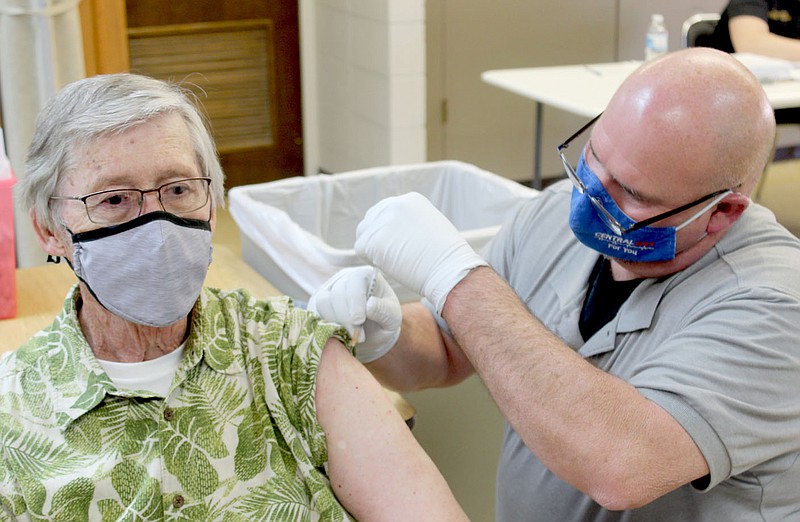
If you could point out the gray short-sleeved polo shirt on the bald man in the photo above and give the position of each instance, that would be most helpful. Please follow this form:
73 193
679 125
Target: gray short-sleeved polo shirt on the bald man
716 345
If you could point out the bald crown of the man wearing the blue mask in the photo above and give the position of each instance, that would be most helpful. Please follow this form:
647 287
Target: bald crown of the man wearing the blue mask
697 116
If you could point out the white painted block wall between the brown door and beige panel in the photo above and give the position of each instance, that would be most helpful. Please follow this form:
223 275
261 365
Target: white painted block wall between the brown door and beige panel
370 83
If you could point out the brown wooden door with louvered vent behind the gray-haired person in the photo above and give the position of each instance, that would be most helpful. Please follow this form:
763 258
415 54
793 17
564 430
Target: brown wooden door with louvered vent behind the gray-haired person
242 59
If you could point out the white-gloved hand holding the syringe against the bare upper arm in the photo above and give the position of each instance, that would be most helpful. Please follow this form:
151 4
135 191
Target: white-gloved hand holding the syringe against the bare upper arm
372 318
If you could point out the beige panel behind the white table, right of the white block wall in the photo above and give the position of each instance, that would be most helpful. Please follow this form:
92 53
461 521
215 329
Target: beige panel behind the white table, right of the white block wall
485 125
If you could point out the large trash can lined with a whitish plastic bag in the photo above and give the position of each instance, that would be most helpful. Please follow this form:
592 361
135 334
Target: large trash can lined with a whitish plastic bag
298 232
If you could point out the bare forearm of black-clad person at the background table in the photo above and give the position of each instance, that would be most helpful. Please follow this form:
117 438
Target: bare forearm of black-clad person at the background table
750 34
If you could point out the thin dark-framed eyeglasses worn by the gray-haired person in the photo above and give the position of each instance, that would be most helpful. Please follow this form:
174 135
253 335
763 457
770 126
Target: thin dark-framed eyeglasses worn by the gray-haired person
112 207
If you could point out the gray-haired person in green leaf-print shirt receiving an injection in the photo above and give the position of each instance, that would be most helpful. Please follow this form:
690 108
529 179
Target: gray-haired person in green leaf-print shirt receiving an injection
150 397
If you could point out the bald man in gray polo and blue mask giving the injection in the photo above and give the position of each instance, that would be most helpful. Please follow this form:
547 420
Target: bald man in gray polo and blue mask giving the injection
638 325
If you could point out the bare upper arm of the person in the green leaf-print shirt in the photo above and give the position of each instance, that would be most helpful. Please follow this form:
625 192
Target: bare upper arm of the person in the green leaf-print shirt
378 471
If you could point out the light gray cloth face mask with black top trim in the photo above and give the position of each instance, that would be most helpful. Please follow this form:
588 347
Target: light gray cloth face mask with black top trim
148 271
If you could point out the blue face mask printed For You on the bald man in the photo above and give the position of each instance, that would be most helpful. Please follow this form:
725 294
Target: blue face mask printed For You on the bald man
646 244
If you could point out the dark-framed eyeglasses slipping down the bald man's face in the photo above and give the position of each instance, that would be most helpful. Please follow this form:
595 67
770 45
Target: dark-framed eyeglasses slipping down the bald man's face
609 219
